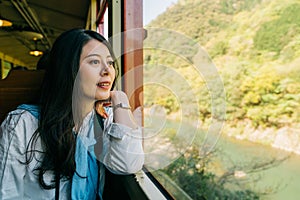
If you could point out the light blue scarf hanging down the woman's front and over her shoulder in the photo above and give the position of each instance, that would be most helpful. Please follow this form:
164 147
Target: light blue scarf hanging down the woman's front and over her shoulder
85 180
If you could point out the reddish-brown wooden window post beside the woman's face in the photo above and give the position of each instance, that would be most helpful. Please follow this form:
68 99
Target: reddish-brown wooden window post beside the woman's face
133 48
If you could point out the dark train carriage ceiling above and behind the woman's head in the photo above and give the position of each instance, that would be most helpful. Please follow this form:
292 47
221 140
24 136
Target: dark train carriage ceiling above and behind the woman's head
37 23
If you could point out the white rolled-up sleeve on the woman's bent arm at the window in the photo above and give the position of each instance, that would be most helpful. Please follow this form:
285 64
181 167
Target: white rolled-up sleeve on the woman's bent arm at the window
125 153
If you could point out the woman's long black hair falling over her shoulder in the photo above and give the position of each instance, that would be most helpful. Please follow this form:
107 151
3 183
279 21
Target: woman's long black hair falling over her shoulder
56 120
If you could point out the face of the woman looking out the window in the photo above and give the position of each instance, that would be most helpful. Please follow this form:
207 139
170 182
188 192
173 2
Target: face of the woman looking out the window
97 72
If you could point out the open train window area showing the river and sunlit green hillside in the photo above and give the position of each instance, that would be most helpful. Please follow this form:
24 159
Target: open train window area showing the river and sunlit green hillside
193 51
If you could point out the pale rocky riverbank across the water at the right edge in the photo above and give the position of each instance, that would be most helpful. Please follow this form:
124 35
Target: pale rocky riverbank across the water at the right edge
285 138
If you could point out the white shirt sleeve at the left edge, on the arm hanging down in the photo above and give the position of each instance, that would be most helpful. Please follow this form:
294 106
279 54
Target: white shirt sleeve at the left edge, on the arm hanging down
12 150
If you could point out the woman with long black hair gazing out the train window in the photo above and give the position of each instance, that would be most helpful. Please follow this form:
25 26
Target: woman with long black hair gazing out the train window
61 148
